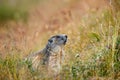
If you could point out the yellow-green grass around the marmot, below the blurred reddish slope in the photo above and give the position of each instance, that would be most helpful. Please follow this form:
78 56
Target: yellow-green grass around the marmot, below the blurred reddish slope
92 51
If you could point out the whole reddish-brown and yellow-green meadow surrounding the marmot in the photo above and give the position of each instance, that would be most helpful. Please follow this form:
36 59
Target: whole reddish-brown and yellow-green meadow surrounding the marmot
92 50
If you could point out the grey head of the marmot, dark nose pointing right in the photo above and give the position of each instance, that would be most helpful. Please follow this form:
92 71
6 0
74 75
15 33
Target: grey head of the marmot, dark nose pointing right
57 41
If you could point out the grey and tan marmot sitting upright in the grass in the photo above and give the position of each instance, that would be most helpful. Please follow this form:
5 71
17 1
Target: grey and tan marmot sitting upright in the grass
51 56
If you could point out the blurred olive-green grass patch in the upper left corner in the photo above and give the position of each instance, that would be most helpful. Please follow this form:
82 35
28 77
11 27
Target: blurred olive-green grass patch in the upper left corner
15 10
